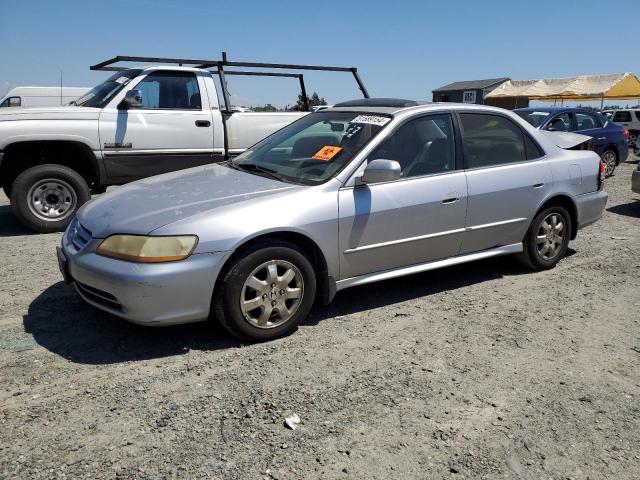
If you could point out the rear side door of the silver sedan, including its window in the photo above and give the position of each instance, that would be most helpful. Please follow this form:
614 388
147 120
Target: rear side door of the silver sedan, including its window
507 176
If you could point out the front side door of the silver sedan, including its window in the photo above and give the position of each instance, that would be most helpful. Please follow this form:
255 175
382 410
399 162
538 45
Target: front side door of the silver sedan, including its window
415 219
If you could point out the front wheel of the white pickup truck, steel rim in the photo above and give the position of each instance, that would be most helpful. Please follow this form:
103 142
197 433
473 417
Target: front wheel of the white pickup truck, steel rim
45 198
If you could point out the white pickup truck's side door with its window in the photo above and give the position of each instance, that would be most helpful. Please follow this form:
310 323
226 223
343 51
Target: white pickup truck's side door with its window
170 131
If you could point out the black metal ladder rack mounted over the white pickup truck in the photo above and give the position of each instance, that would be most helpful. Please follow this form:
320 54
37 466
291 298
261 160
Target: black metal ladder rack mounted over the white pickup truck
108 65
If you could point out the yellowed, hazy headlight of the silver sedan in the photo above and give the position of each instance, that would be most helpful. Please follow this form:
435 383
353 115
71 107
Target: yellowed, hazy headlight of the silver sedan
137 248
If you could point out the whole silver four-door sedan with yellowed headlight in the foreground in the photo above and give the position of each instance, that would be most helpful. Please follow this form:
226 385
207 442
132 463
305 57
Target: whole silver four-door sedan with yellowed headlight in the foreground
364 191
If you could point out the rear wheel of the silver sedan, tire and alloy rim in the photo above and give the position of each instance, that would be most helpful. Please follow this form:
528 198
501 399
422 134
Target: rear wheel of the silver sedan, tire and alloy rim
534 255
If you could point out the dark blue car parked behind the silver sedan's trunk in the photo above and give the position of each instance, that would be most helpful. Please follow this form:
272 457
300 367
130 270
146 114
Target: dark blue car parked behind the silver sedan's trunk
610 140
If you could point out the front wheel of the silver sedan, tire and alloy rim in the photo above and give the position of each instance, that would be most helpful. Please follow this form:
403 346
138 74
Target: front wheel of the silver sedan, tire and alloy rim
278 311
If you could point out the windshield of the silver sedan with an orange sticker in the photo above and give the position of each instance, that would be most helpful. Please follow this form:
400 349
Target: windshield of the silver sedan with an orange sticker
313 149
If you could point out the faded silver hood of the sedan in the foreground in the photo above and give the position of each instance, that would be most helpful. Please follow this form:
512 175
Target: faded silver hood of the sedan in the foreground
146 205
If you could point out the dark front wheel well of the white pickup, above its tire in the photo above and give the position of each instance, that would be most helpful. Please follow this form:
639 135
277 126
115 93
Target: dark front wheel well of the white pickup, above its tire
22 155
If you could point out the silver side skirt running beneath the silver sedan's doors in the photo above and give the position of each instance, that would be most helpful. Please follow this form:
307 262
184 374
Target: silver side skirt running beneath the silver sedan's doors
423 267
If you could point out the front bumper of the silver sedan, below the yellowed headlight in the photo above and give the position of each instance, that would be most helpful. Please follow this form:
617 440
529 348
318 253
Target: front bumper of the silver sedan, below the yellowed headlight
149 294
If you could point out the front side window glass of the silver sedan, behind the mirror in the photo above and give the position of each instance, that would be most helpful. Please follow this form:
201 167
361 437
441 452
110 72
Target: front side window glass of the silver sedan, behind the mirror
422 146
